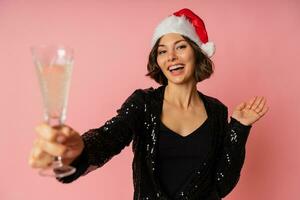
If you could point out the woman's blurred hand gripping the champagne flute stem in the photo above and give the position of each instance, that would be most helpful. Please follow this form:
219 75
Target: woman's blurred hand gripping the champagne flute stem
54 141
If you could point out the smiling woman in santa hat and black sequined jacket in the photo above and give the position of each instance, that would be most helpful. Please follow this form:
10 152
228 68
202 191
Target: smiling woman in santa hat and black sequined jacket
184 147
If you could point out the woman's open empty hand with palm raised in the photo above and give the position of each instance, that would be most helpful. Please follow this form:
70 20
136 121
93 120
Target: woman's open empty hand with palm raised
249 112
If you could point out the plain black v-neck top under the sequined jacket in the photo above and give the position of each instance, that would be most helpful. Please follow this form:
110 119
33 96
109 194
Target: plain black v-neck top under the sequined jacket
180 156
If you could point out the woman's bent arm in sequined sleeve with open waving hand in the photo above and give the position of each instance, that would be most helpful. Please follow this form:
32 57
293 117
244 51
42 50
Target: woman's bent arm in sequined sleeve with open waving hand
232 153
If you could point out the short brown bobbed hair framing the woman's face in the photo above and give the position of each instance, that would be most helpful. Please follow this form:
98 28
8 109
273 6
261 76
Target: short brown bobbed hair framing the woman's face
203 70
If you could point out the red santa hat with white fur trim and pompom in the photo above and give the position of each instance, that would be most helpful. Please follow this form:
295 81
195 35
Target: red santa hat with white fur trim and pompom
186 23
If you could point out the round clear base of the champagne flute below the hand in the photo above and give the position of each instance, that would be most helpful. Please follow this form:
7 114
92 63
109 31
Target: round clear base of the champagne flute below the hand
59 171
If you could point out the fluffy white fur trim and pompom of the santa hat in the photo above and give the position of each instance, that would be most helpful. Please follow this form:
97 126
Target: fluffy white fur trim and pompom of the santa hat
180 25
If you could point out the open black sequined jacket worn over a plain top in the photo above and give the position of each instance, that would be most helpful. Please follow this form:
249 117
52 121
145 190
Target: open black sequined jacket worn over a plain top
138 121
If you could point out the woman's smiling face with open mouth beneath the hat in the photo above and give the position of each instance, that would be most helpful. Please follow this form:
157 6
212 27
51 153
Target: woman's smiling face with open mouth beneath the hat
176 59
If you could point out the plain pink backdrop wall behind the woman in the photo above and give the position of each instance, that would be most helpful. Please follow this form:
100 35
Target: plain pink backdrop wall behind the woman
257 54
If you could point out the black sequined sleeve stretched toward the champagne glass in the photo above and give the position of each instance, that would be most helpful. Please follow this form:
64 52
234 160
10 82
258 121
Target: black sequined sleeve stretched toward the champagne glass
101 144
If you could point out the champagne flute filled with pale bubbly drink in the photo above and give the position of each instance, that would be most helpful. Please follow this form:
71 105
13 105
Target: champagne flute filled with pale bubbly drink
54 64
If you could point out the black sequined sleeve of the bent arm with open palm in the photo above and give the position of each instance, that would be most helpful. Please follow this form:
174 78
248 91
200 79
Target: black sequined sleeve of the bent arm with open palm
231 154
